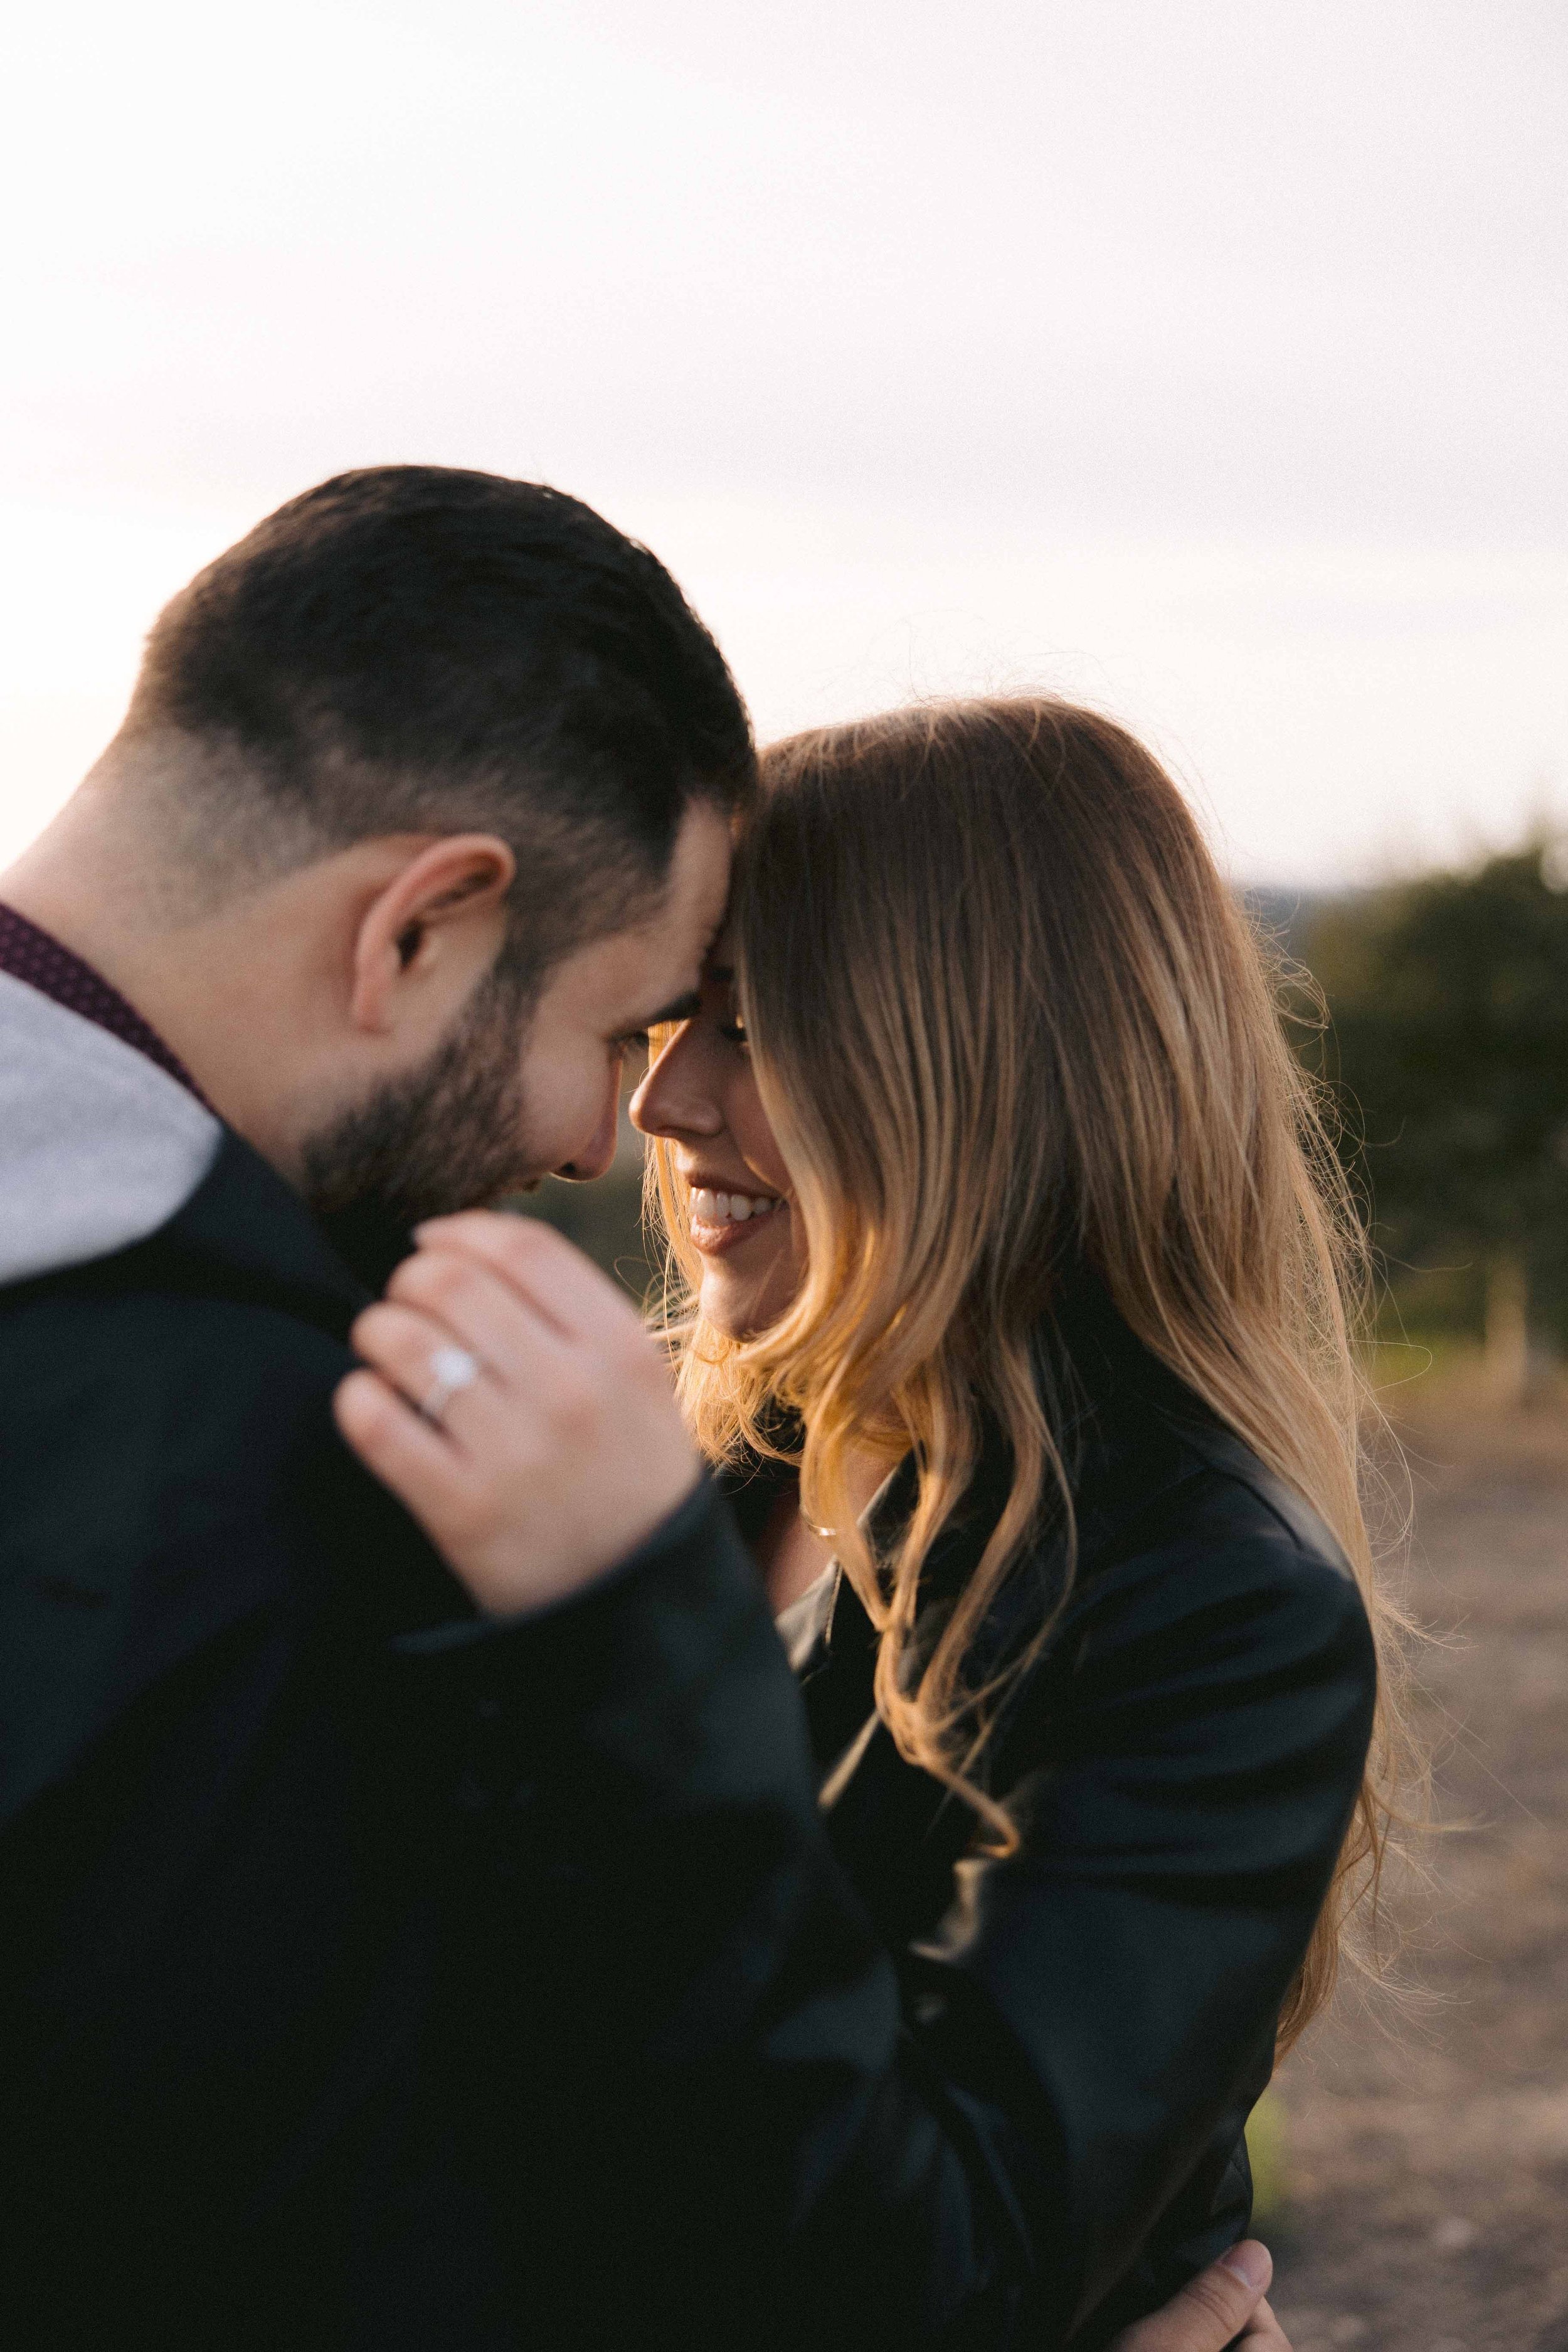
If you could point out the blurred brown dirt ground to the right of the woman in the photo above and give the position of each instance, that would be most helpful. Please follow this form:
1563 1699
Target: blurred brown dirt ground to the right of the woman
1426 2153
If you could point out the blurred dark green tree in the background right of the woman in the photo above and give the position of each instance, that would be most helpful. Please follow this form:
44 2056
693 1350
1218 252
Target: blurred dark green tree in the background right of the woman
1449 1045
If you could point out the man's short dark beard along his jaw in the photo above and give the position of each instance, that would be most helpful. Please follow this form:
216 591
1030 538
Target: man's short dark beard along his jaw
438 1140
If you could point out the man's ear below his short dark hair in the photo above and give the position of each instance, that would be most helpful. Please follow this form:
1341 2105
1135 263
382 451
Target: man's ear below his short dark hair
431 930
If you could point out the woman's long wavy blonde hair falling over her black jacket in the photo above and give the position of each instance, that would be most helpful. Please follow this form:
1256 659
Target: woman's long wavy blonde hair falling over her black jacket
1005 1017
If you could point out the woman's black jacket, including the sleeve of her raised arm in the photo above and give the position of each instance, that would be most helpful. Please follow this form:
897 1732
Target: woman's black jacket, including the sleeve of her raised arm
805 2137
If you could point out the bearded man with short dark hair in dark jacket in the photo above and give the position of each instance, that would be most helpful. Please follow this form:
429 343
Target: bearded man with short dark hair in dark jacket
420 815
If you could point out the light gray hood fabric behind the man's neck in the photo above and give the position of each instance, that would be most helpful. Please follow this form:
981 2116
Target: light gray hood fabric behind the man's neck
98 1144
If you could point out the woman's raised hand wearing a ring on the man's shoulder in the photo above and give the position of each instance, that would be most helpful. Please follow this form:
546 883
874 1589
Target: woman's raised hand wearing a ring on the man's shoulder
518 1410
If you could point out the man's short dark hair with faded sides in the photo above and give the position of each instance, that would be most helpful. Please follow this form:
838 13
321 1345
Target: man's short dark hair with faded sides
424 650
